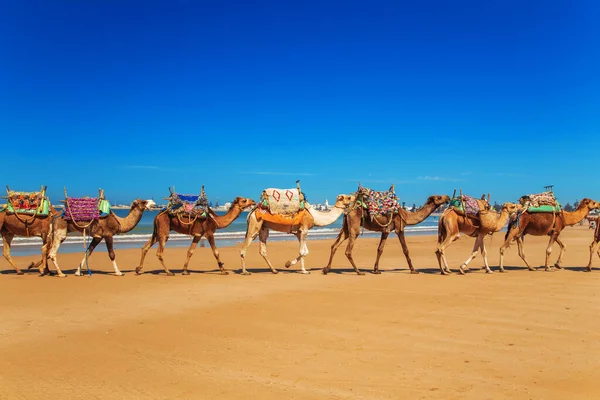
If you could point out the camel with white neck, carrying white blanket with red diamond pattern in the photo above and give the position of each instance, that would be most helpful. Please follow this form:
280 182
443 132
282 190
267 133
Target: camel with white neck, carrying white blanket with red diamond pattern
260 227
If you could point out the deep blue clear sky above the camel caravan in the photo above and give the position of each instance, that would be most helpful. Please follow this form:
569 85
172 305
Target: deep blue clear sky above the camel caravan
134 96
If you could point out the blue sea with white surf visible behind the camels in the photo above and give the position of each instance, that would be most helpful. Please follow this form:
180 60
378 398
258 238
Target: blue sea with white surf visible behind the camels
233 235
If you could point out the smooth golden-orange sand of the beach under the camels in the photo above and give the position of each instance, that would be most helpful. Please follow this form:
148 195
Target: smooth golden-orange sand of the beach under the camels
519 335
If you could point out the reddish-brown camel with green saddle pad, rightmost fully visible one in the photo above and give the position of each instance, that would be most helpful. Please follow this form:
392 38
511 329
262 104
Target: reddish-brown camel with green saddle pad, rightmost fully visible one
542 224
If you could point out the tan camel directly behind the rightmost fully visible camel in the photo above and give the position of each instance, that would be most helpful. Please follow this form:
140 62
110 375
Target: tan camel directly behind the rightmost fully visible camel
452 224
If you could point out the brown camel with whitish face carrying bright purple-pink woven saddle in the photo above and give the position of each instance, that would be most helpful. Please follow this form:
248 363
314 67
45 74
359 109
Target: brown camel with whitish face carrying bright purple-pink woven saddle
103 228
